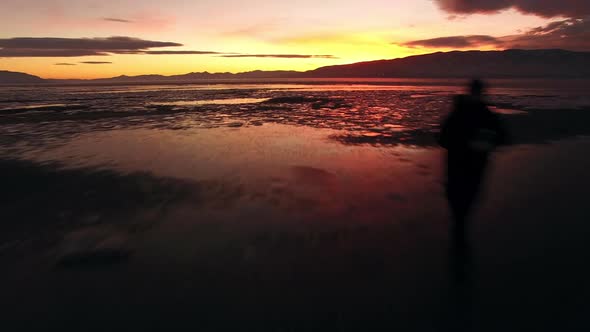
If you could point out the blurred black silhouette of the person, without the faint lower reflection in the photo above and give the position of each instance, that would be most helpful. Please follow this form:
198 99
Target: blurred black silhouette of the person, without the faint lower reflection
469 134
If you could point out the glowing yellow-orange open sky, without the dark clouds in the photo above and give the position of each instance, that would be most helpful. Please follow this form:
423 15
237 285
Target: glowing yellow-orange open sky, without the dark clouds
349 31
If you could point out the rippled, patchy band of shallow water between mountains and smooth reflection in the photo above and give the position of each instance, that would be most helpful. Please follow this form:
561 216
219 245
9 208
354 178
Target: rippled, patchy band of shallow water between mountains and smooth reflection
385 112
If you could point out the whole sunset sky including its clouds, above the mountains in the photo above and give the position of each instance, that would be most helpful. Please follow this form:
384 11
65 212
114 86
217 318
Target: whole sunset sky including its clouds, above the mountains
92 39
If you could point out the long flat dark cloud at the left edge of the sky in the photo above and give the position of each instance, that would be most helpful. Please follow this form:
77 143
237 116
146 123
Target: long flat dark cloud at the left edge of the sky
72 47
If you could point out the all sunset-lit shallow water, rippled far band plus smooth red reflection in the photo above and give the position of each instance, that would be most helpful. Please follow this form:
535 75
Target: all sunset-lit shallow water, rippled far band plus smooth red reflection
327 148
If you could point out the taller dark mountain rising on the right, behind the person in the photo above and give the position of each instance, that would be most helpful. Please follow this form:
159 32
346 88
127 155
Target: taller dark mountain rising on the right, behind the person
487 64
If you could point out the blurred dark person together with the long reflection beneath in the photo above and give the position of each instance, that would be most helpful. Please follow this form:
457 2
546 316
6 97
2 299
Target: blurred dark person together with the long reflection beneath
469 134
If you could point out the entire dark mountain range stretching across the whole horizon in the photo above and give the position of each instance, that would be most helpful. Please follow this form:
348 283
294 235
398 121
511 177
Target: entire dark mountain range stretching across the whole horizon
552 63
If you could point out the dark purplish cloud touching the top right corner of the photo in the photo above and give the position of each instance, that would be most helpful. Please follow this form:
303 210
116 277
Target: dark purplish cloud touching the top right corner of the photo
545 8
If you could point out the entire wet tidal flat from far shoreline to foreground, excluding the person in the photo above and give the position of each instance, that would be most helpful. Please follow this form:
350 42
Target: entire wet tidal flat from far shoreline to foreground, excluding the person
319 209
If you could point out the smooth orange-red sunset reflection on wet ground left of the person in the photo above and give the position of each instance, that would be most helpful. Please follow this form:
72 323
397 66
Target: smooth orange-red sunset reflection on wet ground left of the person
298 169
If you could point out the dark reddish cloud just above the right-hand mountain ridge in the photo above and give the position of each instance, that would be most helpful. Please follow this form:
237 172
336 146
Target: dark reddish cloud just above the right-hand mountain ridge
570 34
